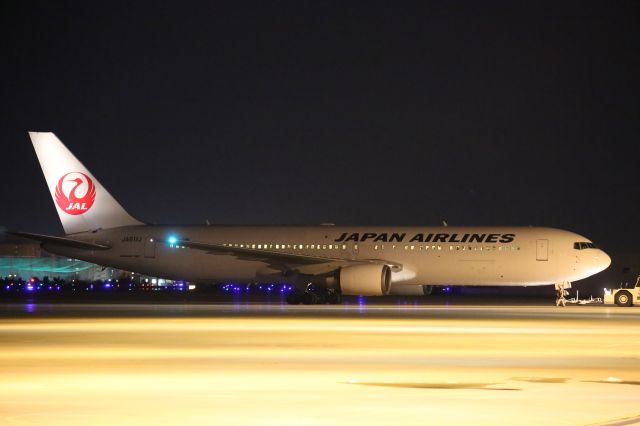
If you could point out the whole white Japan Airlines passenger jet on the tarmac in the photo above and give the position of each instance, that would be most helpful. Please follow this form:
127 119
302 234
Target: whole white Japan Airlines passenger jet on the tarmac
323 261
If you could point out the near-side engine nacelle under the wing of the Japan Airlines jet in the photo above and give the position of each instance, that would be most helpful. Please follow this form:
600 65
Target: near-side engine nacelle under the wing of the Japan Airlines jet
365 280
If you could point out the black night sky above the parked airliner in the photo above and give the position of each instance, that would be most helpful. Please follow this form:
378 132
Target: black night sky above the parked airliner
346 112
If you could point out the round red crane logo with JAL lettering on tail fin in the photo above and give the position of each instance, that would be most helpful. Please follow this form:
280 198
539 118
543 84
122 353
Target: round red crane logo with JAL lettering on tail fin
75 199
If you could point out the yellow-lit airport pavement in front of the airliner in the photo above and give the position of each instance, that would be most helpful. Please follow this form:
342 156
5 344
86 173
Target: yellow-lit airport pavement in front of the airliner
492 365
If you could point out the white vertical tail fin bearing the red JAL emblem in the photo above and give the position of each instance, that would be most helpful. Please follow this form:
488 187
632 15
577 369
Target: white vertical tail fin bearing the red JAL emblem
83 204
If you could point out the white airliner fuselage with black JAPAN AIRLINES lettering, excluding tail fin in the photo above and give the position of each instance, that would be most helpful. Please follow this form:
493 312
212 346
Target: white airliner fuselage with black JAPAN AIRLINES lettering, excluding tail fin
508 256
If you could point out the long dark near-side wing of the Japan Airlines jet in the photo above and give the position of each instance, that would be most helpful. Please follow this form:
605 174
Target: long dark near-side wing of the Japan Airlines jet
284 261
